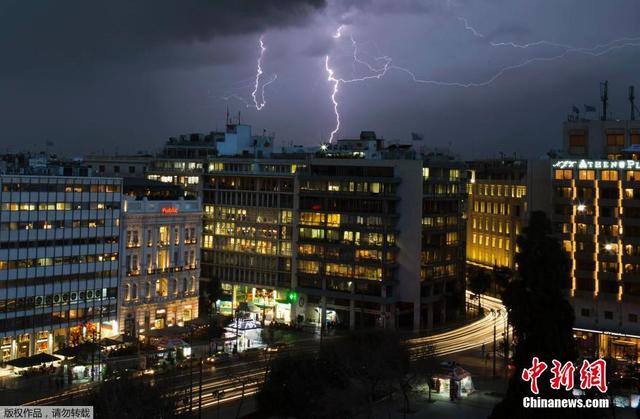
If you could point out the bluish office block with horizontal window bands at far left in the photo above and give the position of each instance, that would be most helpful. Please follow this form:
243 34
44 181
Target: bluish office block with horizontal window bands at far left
58 262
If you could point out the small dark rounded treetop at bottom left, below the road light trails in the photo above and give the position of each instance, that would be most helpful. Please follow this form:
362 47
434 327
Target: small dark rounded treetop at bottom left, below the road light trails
133 398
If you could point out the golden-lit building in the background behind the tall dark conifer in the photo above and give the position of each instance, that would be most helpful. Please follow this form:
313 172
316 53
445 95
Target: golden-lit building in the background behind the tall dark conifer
502 194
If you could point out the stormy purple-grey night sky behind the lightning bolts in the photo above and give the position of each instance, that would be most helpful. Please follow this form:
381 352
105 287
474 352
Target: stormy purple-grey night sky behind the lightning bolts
122 76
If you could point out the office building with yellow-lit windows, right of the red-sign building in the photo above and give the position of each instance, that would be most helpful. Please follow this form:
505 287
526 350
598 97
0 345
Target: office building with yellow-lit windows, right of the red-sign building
248 233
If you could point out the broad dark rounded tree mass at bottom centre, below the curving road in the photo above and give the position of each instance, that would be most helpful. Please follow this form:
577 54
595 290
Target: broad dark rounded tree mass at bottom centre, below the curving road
344 379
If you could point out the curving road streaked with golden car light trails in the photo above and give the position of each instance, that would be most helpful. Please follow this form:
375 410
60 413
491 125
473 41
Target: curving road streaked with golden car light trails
243 377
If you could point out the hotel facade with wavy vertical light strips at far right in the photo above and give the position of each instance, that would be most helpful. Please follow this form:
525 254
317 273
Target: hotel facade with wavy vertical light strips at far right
596 212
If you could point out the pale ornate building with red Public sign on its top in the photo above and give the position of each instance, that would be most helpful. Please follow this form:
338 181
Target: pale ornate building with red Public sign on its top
160 270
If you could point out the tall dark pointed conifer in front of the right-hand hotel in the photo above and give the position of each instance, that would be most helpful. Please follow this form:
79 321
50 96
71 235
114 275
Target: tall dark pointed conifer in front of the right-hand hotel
541 316
